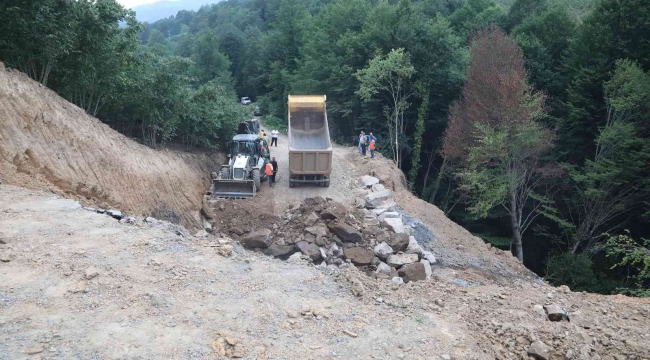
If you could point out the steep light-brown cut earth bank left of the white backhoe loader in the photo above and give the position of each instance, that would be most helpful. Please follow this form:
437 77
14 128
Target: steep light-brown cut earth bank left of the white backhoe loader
47 143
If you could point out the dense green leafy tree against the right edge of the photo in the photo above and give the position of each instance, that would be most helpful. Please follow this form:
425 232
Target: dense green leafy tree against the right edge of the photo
612 183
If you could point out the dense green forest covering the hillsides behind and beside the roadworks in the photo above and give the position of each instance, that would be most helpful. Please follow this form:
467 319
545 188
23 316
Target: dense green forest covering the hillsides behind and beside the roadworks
525 121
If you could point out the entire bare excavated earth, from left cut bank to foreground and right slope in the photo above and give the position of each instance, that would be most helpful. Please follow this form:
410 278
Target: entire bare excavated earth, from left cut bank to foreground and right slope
76 284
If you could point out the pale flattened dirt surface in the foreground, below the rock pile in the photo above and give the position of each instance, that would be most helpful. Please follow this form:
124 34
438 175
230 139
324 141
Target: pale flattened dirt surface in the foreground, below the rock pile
158 295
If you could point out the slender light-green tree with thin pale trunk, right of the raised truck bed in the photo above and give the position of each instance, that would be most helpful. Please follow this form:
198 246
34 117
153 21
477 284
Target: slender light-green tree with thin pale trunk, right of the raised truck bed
389 78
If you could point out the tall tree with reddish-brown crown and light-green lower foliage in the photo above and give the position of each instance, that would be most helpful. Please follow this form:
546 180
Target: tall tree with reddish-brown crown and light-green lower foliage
494 134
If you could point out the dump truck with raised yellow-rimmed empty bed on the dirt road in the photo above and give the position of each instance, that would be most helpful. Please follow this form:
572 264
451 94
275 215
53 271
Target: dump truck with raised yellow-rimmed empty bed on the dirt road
310 149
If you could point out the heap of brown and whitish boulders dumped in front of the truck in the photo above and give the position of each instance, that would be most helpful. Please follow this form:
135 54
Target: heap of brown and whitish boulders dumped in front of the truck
372 236
